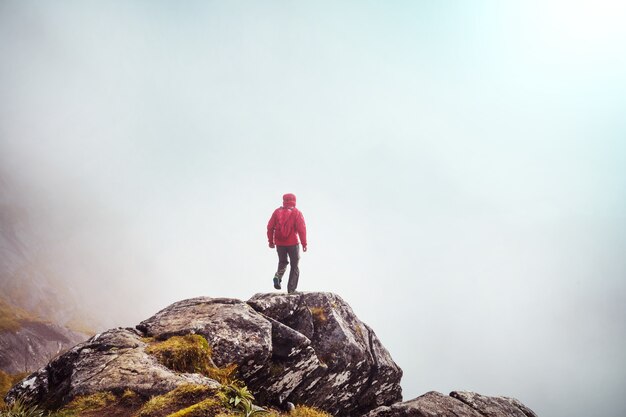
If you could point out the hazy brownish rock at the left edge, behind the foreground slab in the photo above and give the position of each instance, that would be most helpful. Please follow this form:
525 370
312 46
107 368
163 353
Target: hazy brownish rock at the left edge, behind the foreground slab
32 345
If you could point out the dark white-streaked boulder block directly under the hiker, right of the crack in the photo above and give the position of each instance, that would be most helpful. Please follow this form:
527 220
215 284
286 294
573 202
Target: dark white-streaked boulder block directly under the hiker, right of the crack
330 358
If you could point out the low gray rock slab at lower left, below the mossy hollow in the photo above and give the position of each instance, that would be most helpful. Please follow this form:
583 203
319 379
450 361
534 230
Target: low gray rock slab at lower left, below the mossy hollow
112 361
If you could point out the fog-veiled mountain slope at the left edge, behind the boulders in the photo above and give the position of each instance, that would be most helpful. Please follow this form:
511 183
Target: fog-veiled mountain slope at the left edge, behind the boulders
39 317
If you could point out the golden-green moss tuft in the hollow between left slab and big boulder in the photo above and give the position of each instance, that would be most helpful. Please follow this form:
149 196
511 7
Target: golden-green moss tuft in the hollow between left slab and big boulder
190 353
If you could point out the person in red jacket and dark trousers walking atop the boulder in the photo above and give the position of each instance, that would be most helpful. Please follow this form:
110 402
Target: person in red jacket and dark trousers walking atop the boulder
283 230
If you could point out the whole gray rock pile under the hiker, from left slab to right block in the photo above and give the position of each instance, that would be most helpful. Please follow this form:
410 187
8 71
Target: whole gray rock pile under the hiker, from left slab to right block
305 348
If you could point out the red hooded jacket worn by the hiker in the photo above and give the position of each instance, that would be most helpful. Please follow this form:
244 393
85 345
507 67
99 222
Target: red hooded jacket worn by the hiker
290 215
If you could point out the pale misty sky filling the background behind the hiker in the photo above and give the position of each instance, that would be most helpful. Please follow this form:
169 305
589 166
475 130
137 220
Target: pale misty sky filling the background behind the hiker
460 165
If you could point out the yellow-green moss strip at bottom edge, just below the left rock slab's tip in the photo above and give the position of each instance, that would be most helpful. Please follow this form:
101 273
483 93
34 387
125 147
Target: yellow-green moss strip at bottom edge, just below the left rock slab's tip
181 397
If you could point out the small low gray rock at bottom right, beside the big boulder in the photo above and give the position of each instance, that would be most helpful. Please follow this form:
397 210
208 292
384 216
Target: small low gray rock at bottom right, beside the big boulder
457 404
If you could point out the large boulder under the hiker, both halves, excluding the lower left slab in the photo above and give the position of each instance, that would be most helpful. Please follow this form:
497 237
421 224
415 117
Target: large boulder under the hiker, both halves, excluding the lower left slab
301 348
